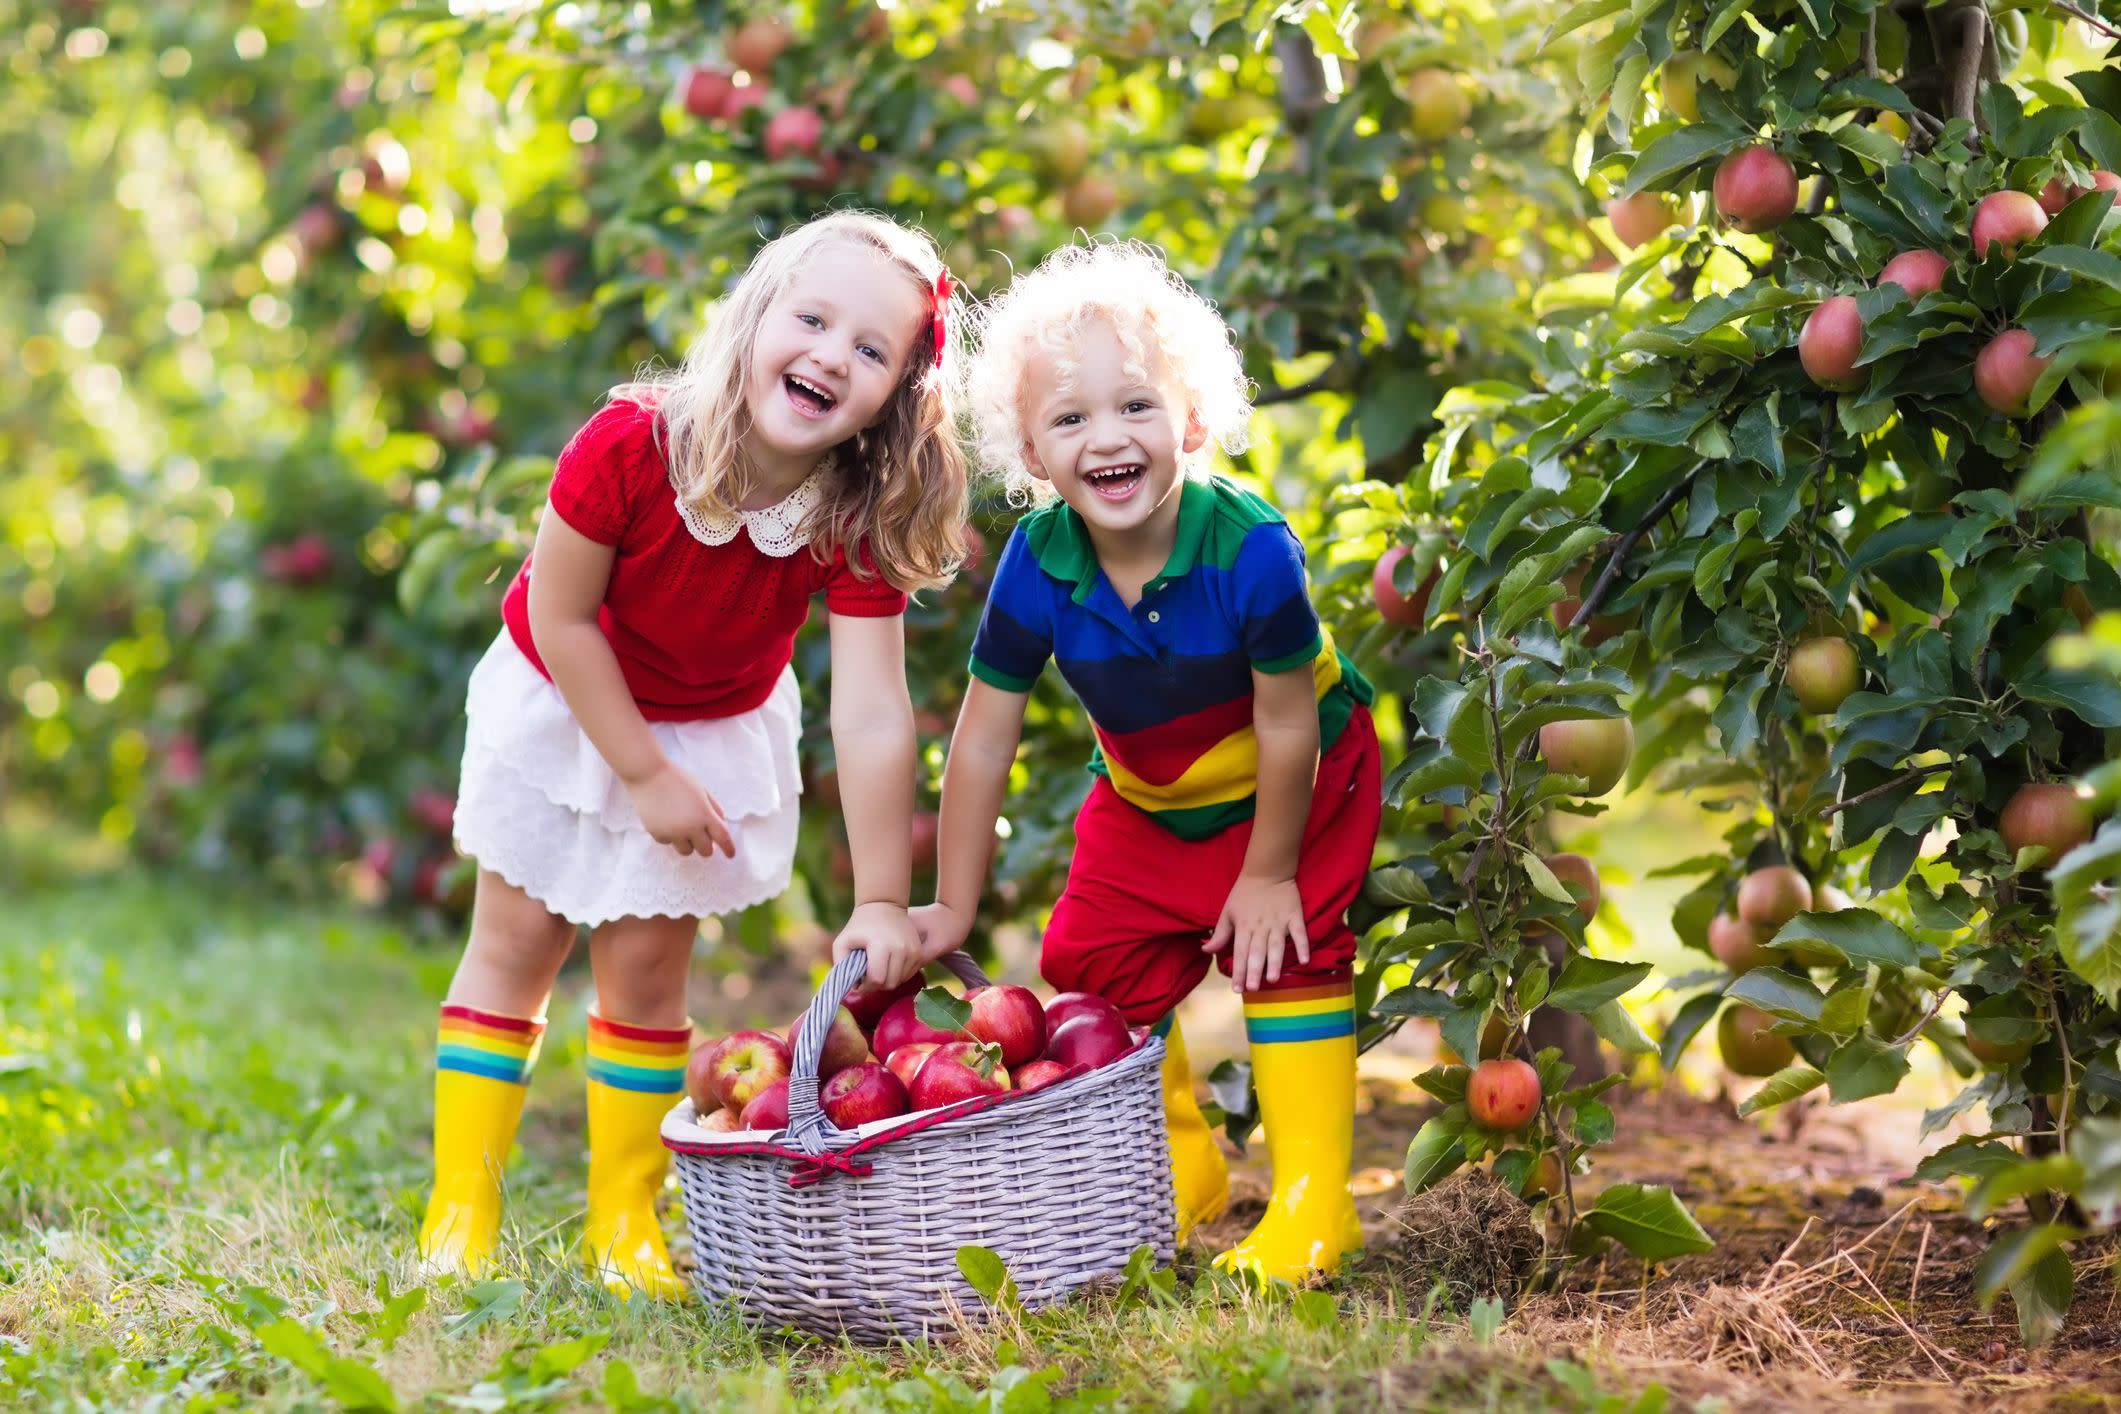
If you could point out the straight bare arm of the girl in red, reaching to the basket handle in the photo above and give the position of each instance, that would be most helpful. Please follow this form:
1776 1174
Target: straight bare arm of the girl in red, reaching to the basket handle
873 739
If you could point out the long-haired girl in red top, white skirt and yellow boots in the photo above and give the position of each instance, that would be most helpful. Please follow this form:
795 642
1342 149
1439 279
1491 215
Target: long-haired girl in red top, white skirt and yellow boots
631 743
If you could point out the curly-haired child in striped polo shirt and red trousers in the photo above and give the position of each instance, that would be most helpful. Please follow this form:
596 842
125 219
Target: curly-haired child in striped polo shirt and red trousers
1238 773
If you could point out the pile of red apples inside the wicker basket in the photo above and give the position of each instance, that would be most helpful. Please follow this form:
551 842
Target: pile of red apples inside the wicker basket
881 1061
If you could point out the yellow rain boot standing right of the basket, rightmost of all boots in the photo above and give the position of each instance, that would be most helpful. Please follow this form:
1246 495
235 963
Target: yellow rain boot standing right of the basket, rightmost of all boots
1303 1065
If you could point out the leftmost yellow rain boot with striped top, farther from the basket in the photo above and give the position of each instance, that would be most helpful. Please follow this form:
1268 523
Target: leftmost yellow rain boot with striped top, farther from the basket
483 1070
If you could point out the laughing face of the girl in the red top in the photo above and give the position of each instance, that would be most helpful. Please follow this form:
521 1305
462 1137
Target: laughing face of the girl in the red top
830 351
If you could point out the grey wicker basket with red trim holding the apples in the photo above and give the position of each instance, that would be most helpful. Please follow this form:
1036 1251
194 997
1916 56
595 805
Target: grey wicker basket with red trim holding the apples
832 1231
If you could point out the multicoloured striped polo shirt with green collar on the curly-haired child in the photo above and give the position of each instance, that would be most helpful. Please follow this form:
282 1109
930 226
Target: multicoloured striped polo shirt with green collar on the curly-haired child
1168 684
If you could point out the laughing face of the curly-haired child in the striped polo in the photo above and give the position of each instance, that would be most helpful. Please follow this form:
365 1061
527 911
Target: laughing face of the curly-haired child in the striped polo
1110 442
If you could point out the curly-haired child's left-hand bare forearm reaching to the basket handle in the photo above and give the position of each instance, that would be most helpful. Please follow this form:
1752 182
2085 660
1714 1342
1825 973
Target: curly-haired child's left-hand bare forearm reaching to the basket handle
975 783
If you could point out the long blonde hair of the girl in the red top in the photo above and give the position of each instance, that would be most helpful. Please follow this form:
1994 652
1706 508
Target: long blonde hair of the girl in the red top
900 487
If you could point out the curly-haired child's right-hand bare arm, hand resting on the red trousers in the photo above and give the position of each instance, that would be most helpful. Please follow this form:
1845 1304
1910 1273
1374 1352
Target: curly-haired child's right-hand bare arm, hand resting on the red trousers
1265 913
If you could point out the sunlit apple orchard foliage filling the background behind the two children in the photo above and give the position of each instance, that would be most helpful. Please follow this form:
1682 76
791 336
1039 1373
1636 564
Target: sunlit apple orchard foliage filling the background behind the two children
1556 313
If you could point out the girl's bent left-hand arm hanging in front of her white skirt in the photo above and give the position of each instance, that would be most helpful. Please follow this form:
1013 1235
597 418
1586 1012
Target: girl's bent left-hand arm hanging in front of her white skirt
567 586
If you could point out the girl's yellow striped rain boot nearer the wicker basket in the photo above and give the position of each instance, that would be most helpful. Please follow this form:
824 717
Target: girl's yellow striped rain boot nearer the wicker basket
635 1078
